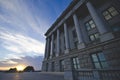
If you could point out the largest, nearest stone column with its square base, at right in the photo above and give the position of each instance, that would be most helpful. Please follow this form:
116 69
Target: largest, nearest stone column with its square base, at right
99 22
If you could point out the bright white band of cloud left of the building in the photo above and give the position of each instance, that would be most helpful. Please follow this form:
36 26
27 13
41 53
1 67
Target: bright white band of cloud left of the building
21 44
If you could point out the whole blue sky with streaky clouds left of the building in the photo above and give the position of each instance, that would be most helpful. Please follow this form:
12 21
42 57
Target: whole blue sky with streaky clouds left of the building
23 24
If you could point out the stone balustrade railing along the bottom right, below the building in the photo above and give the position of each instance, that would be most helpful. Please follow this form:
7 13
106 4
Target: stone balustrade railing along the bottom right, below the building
93 74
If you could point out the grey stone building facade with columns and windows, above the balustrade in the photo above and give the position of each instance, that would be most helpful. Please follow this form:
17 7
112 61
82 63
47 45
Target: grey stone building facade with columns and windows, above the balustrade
85 36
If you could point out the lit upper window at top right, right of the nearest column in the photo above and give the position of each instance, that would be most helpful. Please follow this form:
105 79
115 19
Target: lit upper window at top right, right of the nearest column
110 13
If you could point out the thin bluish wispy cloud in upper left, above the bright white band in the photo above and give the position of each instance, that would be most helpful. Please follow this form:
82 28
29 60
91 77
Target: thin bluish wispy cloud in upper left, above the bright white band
19 15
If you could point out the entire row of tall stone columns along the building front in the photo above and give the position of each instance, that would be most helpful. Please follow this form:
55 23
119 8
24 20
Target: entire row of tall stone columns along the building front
100 26
